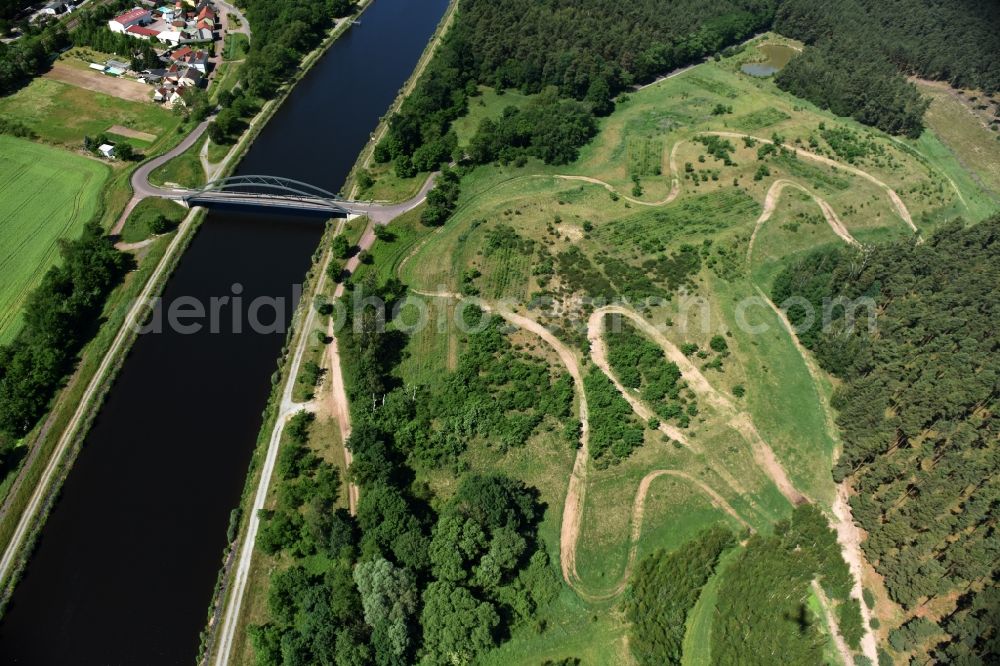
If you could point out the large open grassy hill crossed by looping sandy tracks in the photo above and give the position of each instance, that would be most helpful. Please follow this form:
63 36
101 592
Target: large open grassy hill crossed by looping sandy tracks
695 193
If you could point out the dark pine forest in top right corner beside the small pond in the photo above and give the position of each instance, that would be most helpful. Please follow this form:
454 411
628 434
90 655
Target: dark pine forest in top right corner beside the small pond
861 49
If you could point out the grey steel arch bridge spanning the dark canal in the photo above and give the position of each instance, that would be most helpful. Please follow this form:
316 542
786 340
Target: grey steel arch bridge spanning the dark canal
267 191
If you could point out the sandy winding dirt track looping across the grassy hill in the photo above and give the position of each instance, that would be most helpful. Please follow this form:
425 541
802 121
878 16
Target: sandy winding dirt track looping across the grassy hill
848 534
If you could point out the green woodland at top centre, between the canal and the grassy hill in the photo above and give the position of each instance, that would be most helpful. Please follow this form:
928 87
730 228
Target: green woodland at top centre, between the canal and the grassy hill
602 48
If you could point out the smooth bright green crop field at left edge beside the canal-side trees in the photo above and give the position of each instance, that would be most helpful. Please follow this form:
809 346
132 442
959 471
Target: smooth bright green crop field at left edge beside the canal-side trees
45 194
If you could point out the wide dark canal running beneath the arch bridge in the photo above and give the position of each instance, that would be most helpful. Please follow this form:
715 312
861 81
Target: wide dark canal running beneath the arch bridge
125 567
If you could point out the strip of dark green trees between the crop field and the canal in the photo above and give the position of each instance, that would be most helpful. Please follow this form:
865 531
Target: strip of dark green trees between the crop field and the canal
60 316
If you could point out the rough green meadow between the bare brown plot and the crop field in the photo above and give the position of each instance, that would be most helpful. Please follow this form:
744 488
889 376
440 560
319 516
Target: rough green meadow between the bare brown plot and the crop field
63 114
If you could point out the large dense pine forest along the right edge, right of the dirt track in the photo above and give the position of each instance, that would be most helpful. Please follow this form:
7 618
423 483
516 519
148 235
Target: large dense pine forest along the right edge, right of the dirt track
916 412
